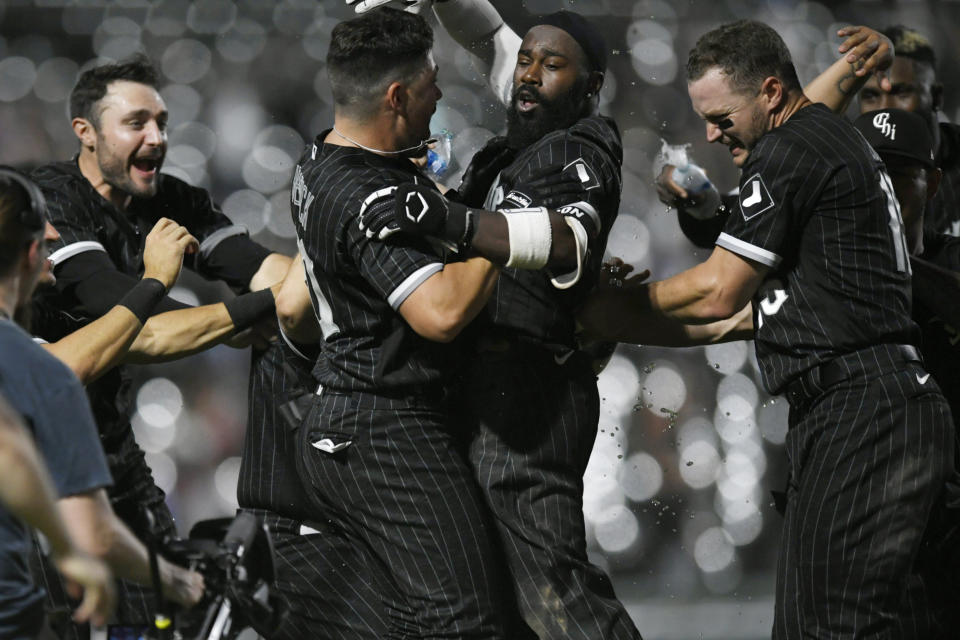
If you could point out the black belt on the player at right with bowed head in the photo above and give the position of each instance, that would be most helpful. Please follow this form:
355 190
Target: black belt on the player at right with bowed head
864 362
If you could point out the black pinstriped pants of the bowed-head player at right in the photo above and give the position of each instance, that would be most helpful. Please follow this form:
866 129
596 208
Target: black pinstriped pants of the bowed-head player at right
869 461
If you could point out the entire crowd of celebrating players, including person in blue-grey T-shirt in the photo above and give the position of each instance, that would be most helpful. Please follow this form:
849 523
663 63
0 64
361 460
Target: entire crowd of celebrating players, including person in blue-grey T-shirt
421 409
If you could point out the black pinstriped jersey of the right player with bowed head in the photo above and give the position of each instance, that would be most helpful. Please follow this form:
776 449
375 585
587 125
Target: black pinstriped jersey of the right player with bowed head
817 207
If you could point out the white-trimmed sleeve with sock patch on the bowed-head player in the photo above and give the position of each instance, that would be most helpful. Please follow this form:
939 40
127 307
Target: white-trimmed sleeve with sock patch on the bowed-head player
776 182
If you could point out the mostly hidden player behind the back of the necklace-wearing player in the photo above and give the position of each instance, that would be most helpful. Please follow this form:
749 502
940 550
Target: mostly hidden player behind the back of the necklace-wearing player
325 592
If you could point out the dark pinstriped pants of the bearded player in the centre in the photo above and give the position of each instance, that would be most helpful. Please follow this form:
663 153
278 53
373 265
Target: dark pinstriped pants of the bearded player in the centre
534 424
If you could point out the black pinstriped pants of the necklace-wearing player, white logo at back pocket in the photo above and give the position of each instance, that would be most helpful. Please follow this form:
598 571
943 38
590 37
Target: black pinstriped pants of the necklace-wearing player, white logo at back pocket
394 484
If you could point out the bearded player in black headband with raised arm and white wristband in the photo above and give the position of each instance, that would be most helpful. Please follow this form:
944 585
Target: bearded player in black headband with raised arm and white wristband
529 393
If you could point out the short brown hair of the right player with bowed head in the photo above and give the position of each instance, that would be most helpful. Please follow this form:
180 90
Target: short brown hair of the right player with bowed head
747 52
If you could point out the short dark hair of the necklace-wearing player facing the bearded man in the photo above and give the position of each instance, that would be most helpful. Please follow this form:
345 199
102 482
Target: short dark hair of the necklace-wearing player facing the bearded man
369 52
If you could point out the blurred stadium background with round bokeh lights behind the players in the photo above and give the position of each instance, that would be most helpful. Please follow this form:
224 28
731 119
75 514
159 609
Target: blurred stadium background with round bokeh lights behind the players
677 494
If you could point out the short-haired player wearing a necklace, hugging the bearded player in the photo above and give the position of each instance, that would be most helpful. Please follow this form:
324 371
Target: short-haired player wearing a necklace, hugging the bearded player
379 451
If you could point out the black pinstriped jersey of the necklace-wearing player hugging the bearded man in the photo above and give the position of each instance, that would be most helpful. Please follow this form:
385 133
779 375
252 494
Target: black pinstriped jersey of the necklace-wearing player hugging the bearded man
357 284
